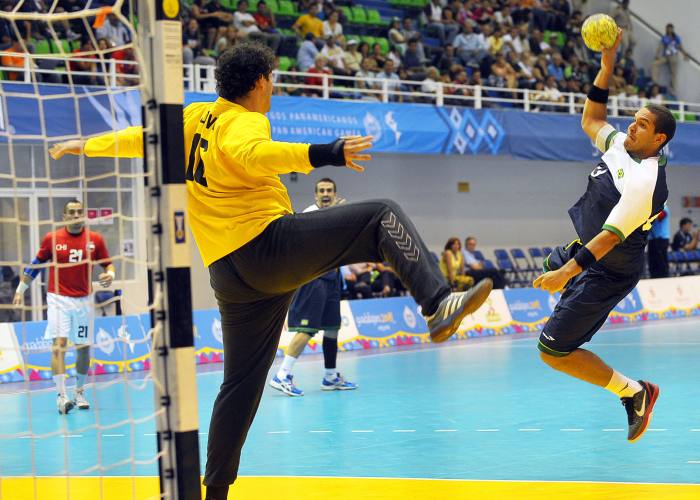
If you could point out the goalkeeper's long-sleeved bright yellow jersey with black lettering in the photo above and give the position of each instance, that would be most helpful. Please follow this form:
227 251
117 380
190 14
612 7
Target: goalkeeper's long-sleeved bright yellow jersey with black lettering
232 172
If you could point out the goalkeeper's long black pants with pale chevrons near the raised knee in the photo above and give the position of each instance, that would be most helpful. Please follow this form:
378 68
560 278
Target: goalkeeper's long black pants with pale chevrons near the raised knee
254 286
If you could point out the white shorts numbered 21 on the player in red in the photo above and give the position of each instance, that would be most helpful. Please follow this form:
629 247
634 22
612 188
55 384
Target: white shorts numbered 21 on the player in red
70 317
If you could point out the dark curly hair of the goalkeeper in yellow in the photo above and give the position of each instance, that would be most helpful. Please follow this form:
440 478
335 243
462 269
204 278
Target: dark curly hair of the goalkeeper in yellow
240 67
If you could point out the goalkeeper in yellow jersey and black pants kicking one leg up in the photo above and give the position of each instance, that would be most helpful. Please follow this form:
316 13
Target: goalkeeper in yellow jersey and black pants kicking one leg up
259 251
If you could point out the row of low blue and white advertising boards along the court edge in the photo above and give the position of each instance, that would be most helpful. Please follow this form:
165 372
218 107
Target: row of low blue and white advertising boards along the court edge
124 343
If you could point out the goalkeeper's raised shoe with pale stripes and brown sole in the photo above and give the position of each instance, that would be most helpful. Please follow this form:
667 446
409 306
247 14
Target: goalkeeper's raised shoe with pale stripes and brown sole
453 308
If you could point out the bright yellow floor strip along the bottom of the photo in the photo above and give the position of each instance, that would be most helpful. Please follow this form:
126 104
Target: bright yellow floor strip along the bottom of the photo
310 488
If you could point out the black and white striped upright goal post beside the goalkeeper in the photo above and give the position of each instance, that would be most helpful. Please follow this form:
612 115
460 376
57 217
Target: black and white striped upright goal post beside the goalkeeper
173 345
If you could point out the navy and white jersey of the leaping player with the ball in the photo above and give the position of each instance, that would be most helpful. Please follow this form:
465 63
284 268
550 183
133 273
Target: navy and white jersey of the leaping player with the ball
623 196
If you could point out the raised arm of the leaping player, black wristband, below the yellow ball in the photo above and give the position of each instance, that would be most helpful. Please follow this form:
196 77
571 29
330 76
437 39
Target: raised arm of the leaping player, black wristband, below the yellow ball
594 118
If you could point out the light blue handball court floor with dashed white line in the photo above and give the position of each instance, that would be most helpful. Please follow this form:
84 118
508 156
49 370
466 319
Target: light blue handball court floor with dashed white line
485 409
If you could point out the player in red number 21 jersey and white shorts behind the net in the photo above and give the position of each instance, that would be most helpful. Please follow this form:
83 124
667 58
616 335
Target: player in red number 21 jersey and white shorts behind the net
72 250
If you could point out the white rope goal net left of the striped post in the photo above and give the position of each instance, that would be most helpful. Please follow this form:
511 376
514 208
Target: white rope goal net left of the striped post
66 76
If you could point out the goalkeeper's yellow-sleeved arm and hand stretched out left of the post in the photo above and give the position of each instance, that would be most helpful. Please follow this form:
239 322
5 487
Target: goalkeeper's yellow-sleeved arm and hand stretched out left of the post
127 143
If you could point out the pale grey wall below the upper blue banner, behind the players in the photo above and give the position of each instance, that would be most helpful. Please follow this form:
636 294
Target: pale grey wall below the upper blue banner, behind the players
511 203
